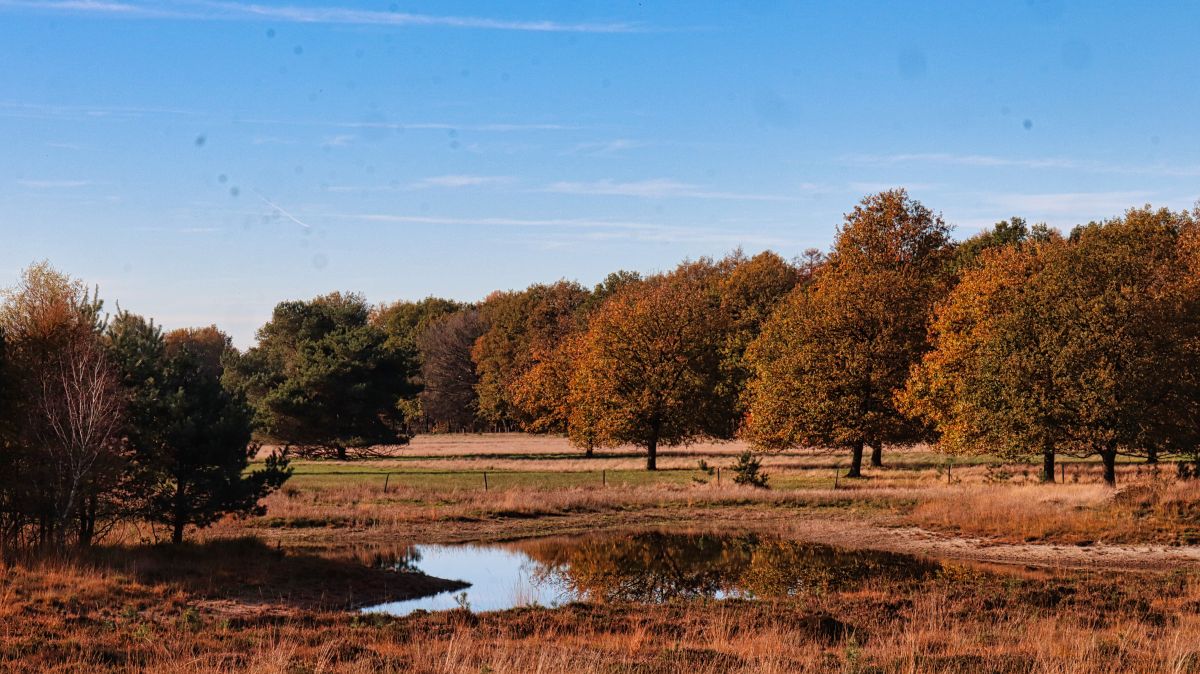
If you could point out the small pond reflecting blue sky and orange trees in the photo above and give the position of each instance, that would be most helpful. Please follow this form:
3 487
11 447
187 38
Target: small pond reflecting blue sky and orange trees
646 567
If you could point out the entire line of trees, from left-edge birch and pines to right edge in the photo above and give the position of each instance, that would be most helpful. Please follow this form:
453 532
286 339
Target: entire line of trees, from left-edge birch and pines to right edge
1022 342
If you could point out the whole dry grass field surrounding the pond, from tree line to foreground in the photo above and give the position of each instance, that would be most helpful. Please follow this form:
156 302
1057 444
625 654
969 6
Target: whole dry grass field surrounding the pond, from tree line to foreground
1066 577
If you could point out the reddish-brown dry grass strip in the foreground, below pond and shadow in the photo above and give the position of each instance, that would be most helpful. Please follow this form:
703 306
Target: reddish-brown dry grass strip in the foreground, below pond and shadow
71 618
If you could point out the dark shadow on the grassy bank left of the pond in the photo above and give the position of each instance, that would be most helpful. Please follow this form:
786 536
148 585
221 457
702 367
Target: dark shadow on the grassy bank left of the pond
251 573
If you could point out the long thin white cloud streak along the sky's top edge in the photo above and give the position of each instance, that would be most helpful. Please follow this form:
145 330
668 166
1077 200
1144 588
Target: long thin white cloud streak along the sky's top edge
205 10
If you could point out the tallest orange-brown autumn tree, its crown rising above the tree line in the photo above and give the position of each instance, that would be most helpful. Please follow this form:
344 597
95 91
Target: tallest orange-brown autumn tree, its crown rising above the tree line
831 359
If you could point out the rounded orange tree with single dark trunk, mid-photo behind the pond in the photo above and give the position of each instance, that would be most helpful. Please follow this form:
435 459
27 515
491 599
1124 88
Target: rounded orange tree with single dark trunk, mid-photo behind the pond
651 362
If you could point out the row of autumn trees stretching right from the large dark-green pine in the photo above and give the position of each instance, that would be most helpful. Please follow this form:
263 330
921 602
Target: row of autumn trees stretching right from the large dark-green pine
1022 342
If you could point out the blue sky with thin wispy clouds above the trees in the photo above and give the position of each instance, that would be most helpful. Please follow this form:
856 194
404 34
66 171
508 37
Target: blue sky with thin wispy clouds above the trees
201 160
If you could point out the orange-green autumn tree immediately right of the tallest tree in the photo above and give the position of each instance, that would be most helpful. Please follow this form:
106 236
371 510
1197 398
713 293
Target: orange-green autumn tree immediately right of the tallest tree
988 386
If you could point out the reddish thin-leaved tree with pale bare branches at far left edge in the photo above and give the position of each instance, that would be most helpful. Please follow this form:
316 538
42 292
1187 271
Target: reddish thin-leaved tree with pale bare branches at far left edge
67 454
